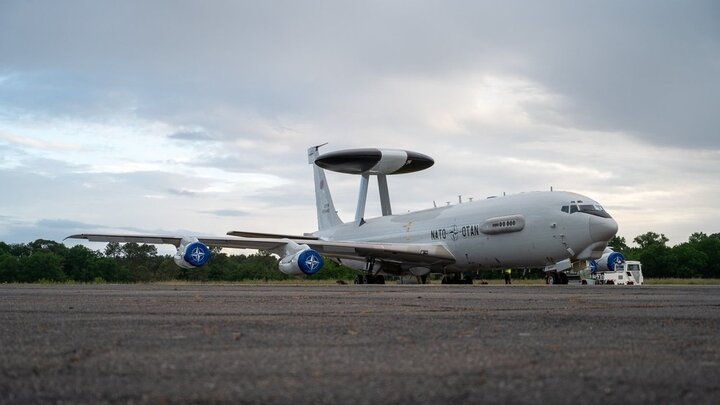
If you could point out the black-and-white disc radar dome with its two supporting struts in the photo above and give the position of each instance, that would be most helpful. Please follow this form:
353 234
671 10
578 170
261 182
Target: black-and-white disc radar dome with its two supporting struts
373 162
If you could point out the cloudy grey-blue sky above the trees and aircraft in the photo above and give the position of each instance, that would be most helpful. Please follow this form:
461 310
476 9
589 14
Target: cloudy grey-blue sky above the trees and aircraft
193 117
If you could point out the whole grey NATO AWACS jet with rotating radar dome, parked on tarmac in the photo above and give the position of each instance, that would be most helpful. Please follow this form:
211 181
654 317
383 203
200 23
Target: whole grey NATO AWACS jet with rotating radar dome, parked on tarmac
532 229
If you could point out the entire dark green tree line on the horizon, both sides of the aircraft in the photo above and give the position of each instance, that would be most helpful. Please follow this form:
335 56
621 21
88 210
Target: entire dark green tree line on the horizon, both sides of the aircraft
46 260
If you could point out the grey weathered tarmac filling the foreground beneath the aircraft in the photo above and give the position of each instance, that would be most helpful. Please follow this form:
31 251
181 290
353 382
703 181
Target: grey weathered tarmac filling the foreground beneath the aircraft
347 344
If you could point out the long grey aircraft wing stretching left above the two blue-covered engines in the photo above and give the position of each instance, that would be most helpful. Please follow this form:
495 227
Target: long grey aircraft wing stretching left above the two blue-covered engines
416 253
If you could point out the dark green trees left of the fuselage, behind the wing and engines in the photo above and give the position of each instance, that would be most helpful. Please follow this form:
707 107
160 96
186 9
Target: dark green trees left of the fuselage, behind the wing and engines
46 260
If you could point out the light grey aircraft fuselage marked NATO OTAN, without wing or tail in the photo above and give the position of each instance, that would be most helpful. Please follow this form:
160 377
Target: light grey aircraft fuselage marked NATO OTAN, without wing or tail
522 230
